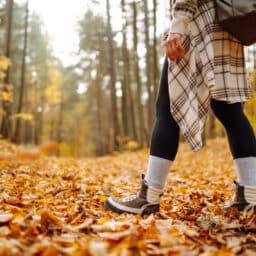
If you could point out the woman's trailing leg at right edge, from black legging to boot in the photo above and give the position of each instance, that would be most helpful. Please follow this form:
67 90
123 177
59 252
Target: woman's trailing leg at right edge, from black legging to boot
243 148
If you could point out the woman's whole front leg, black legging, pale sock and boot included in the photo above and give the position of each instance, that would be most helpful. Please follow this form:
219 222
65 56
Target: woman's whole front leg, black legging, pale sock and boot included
163 149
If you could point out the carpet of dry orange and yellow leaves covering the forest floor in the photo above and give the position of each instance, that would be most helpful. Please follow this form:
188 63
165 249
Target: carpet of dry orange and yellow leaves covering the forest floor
54 206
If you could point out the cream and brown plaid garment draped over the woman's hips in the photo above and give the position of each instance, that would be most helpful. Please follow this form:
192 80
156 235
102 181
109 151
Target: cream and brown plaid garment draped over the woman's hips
213 67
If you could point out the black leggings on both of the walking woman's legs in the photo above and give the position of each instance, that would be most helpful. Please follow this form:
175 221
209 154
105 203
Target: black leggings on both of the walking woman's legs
165 134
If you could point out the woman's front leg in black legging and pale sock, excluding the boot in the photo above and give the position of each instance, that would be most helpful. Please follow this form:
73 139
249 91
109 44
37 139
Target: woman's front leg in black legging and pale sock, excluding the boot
164 138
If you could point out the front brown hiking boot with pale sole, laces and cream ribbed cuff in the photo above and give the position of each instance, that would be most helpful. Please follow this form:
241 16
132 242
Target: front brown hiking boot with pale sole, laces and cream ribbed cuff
145 202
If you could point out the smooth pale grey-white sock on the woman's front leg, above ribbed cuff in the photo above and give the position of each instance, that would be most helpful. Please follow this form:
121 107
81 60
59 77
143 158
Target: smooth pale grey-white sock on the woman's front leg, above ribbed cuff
157 172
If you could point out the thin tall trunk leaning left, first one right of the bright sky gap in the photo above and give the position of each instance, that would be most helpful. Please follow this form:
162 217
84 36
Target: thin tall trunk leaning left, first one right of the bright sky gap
114 117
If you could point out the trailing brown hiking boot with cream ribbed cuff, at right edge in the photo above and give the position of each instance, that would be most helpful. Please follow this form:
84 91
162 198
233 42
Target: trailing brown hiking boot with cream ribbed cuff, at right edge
245 196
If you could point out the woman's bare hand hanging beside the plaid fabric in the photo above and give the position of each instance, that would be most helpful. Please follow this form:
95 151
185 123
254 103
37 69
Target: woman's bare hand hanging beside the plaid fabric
173 46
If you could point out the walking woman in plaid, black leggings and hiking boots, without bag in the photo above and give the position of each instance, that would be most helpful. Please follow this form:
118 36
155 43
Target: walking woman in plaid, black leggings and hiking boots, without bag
204 67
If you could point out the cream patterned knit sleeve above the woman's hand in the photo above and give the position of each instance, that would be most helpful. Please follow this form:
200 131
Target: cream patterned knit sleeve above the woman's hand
182 13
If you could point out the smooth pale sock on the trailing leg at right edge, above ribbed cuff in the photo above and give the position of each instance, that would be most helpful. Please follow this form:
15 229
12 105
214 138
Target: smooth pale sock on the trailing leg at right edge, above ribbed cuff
246 170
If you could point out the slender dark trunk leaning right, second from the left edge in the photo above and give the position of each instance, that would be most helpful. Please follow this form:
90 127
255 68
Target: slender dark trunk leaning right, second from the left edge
23 75
